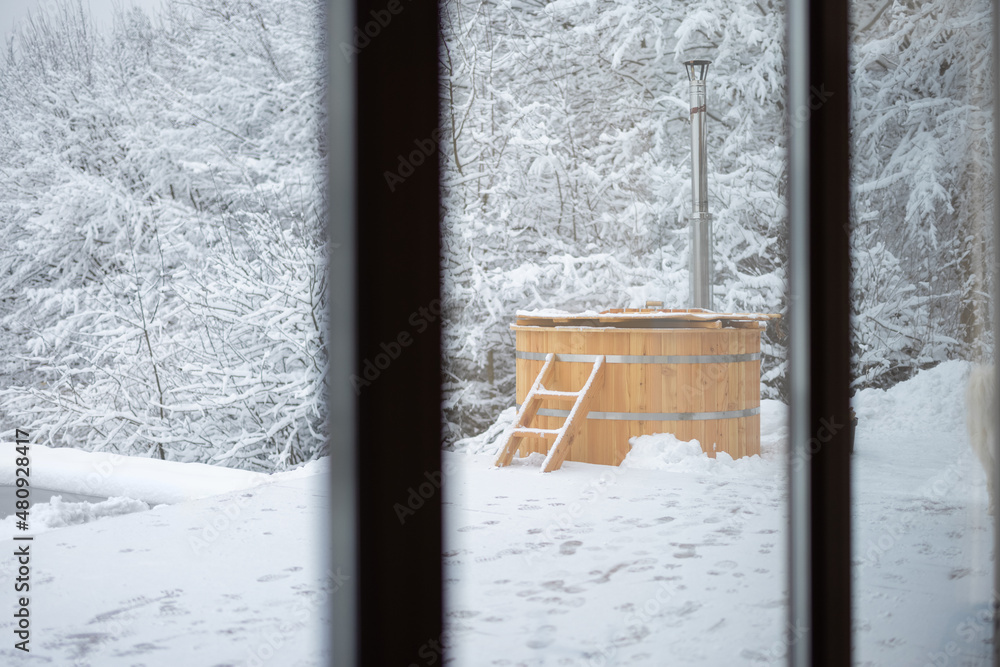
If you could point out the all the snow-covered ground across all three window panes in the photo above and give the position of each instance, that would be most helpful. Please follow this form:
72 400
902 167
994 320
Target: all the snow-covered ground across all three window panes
671 559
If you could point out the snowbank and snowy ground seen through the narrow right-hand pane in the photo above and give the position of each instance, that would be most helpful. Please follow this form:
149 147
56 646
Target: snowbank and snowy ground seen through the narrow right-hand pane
923 537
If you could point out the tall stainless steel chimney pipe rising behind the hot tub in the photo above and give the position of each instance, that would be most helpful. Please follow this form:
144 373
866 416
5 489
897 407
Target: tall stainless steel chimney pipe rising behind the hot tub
701 219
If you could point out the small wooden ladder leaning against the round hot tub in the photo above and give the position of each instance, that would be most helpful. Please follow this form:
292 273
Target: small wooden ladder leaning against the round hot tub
566 434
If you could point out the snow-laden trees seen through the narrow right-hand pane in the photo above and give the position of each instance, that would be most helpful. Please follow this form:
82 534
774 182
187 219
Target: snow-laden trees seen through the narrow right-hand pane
922 173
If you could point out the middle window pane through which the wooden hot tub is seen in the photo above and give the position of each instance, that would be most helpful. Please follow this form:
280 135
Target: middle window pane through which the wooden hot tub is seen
567 191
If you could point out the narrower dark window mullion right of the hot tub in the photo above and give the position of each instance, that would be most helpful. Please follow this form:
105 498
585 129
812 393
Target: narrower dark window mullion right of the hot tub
819 631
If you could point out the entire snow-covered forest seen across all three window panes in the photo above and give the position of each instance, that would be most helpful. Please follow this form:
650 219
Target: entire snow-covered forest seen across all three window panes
163 276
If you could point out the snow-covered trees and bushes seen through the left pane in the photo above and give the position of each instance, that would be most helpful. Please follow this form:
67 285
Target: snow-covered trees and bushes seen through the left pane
163 272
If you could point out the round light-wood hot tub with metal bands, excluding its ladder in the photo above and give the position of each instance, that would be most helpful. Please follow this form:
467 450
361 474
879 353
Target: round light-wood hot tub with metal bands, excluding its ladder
688 374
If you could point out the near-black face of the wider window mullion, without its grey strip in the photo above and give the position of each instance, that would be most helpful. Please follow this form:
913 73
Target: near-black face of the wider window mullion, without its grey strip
397 373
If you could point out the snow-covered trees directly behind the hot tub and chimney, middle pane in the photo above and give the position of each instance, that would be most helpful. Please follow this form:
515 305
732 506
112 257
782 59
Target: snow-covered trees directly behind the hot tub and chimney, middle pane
567 169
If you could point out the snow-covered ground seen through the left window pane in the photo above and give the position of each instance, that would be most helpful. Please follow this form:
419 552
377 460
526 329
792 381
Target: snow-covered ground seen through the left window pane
234 577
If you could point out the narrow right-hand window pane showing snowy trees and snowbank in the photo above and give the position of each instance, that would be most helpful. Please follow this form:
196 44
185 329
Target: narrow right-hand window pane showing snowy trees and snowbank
922 337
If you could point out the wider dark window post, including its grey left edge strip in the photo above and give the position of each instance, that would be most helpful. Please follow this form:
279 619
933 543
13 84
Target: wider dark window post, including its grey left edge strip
385 358
